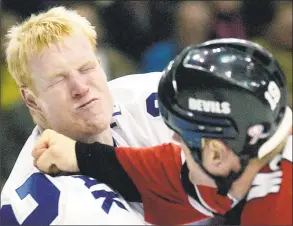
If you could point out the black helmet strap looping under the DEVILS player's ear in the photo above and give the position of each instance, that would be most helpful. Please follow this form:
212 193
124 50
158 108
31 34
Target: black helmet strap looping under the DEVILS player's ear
223 183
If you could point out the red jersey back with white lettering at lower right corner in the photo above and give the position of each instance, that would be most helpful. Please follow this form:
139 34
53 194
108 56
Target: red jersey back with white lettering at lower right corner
269 202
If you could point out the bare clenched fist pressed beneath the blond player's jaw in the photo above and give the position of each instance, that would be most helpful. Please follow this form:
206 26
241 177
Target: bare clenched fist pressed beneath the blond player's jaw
54 153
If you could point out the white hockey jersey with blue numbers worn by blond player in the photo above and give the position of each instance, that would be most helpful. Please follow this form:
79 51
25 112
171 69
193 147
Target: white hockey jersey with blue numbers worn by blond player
32 198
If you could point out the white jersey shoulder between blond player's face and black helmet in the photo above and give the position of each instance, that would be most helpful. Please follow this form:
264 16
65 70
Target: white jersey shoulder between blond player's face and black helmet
137 121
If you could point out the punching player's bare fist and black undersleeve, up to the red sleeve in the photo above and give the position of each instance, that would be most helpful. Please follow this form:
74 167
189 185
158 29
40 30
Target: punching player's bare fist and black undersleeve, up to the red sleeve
55 153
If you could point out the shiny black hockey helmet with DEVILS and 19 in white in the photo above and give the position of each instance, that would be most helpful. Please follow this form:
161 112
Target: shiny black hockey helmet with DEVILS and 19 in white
228 89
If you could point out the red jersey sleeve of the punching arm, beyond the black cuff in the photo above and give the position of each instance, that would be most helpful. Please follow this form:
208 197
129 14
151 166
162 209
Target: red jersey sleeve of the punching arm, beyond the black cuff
156 173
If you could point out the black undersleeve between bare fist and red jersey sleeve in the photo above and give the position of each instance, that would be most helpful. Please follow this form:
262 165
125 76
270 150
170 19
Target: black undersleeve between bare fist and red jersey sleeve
101 162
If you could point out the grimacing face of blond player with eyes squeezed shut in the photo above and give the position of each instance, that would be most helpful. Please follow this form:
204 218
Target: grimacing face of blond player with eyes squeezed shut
72 89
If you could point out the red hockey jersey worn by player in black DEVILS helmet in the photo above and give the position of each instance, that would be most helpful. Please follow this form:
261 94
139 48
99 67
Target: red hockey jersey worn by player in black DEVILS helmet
156 172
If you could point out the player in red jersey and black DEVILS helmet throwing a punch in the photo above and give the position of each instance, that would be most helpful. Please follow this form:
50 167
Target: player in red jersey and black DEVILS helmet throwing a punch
227 102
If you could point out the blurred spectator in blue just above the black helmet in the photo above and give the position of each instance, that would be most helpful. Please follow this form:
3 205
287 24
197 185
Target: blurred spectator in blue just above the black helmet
192 26
